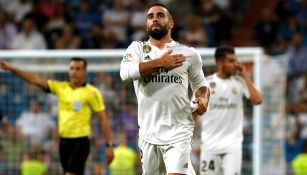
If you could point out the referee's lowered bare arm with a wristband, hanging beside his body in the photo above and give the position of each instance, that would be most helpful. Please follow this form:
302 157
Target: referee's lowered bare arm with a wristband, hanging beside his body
107 135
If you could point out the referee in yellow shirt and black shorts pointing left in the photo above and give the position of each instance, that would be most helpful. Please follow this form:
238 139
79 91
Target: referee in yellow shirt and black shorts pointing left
77 100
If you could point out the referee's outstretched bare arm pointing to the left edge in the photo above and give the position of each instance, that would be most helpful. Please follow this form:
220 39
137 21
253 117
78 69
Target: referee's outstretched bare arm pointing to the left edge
27 76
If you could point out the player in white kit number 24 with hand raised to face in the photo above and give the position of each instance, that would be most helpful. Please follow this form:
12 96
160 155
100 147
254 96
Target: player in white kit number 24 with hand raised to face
222 124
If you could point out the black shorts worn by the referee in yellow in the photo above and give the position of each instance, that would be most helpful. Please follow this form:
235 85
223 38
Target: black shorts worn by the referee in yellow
73 154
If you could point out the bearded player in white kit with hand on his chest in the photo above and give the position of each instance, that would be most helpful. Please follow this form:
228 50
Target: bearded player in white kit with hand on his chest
161 70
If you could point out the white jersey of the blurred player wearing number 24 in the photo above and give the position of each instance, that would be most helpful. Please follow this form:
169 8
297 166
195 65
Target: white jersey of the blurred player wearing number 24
222 124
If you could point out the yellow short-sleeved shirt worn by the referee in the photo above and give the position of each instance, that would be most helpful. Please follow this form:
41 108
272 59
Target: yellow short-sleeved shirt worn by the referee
75 107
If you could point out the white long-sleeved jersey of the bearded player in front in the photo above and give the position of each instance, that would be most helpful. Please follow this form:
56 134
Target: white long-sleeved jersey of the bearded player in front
164 112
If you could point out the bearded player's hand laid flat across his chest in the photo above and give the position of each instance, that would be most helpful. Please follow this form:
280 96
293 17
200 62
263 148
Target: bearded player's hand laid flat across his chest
171 61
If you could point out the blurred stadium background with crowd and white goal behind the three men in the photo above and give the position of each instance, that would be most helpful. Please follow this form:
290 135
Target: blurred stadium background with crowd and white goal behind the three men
40 36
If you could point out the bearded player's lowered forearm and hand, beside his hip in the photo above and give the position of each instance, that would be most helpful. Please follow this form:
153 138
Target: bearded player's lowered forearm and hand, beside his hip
202 96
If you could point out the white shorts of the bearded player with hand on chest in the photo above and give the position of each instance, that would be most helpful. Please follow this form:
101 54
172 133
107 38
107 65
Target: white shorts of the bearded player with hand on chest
165 159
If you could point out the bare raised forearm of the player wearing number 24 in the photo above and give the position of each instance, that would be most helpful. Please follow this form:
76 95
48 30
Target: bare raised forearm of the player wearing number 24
255 96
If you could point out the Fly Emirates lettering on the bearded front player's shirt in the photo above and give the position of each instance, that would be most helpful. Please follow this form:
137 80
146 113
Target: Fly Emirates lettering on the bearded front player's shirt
161 76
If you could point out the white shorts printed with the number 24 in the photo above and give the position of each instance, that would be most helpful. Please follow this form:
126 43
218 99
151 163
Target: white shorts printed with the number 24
216 164
